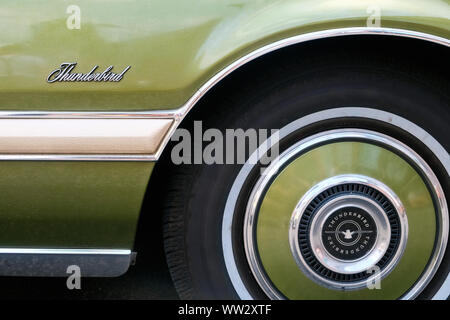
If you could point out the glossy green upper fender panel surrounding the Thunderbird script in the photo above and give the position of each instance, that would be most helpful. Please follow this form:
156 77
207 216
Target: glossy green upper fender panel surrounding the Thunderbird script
173 46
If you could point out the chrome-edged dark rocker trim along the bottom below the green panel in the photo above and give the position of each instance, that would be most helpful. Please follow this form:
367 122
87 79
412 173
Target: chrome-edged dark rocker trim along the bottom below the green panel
54 262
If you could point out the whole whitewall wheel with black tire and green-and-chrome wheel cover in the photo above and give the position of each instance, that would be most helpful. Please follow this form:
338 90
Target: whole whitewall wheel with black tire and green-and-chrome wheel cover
354 206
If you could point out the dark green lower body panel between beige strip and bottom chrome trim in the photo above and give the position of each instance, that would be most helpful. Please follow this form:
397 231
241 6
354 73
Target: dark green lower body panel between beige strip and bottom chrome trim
71 204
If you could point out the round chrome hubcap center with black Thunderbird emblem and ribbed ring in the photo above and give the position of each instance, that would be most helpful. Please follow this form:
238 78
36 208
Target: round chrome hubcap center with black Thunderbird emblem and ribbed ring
344 227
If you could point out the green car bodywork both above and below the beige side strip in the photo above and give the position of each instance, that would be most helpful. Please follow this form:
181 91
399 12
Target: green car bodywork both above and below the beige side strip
174 48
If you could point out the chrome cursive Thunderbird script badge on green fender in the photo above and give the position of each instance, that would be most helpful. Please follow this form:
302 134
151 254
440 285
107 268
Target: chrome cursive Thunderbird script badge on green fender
64 74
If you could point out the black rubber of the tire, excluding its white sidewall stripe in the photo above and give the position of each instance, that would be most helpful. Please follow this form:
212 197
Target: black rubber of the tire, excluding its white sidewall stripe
291 89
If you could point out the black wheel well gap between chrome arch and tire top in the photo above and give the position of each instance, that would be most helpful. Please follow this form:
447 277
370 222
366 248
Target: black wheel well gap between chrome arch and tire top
425 59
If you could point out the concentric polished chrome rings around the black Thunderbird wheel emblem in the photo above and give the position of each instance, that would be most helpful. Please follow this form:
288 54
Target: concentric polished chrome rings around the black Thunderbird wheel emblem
372 257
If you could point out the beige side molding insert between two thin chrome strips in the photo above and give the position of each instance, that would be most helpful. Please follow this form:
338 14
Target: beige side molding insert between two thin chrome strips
86 136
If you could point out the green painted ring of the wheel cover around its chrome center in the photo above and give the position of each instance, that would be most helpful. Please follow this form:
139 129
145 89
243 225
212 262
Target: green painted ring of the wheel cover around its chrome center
320 164
